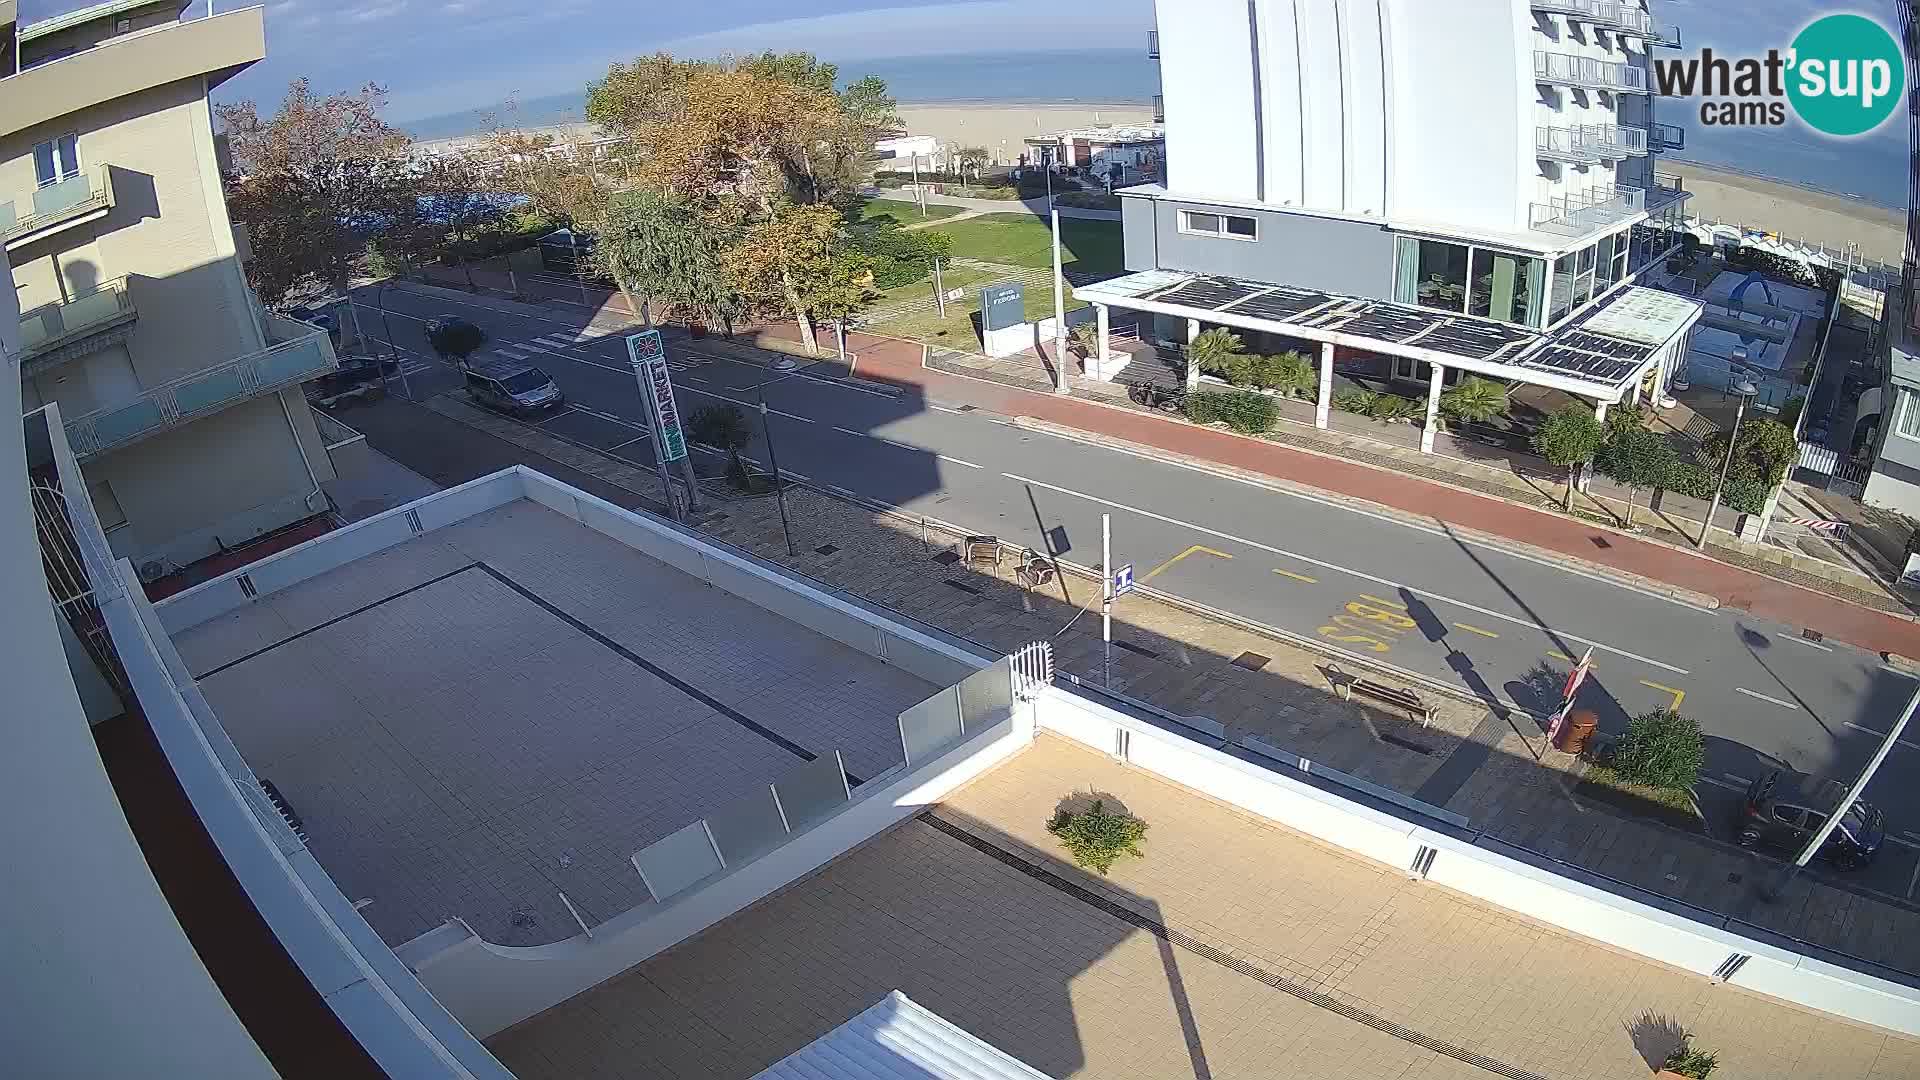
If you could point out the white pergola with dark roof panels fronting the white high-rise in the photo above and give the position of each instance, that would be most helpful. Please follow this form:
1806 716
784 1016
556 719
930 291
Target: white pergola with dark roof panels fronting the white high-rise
1604 355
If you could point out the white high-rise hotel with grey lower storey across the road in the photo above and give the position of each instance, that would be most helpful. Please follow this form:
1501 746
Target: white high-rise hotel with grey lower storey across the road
1376 160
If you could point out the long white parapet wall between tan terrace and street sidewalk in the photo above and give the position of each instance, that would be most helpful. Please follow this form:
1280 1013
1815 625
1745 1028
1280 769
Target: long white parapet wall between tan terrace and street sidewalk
1671 935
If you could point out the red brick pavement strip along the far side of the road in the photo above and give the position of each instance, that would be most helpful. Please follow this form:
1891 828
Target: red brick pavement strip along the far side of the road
1765 597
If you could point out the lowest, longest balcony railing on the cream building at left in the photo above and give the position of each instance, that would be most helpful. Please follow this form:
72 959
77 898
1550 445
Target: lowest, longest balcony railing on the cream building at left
201 395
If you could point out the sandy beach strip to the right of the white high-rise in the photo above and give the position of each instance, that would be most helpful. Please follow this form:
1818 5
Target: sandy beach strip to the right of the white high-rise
1802 214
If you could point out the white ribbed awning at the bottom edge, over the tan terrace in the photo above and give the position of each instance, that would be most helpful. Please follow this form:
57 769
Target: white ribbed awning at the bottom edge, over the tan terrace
900 1041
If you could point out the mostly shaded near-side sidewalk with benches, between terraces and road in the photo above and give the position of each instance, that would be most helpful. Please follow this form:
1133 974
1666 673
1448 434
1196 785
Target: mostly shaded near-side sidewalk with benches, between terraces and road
1178 658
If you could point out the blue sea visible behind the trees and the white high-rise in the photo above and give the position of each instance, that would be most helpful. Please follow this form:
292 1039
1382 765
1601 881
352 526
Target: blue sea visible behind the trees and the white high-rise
1871 168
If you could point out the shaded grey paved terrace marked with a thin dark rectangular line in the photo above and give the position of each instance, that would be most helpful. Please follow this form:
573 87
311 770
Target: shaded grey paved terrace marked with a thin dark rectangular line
510 708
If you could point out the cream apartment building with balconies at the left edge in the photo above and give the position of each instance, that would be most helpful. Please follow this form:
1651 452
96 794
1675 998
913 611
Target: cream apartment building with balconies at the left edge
180 393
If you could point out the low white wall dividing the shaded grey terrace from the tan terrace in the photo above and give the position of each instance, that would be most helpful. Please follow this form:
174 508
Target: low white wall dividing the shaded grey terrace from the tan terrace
496 987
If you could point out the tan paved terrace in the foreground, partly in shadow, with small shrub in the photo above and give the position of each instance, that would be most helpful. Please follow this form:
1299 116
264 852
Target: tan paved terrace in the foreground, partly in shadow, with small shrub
1234 948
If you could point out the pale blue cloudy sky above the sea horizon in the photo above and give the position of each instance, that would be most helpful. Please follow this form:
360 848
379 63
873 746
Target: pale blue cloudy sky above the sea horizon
439 57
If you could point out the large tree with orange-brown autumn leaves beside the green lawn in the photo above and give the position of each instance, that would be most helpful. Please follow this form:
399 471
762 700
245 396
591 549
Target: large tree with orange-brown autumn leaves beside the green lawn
748 159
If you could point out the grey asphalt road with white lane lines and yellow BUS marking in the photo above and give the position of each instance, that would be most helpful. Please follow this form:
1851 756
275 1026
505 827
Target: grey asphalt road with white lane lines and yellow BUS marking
1449 608
